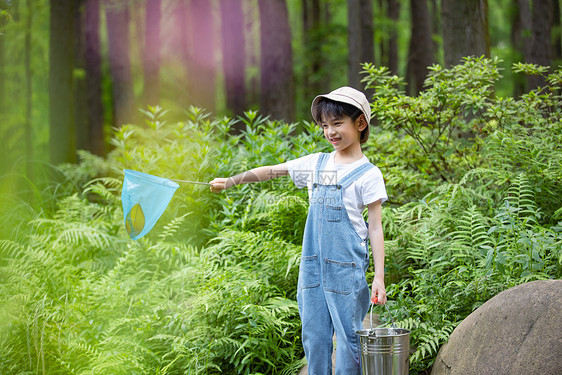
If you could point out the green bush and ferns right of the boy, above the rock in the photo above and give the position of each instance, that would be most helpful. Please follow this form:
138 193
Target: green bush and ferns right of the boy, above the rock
493 225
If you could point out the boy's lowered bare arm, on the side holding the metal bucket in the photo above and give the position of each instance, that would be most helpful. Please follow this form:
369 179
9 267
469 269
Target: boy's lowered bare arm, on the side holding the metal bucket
377 245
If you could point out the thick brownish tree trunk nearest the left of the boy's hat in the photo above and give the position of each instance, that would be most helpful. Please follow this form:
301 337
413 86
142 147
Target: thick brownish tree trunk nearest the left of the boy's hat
276 65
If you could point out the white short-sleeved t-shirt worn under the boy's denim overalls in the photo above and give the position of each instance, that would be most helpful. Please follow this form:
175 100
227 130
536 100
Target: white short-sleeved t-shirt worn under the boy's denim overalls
366 189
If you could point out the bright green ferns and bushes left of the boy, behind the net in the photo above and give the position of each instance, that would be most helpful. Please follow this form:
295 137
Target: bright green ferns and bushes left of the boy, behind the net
79 297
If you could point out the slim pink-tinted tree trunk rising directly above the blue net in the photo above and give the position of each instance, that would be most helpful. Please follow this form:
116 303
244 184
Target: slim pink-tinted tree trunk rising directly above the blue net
151 53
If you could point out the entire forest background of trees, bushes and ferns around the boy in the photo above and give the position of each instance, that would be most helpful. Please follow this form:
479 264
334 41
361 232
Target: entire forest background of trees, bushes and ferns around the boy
470 149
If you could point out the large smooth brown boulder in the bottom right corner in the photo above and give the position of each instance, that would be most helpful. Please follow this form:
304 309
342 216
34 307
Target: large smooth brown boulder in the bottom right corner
519 331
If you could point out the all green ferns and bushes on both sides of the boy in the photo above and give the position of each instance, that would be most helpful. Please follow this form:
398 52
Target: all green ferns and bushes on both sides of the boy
476 207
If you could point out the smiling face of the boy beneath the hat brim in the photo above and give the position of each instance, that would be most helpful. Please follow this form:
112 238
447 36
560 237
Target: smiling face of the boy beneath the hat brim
342 132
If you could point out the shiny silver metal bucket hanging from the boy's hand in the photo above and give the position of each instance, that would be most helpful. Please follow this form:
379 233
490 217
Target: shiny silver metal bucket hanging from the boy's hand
385 351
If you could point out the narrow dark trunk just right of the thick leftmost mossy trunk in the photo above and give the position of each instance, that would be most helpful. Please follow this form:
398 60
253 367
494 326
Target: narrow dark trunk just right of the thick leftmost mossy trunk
92 65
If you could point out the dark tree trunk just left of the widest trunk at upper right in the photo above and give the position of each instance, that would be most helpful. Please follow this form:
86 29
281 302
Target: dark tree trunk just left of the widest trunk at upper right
421 46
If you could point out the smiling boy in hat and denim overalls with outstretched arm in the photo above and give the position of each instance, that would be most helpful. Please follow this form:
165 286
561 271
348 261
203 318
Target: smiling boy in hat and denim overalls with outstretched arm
333 294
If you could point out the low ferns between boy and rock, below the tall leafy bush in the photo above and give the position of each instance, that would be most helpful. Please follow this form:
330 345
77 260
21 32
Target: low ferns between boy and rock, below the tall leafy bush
458 255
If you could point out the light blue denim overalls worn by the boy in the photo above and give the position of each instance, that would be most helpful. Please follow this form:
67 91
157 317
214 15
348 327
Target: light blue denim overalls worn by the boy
332 290
